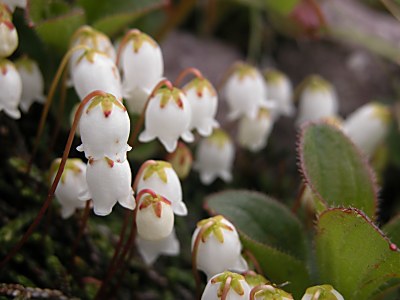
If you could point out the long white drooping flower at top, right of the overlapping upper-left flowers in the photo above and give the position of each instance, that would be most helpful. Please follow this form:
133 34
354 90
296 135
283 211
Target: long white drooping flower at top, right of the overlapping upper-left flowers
143 67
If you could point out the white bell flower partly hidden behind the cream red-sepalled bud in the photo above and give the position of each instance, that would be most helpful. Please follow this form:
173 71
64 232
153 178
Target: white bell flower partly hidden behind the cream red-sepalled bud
160 177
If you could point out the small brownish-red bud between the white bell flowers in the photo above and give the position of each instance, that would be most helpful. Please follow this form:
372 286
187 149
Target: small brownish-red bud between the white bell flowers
181 160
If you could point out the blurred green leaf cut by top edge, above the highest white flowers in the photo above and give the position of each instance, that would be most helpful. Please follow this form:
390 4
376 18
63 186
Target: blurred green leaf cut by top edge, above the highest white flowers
111 17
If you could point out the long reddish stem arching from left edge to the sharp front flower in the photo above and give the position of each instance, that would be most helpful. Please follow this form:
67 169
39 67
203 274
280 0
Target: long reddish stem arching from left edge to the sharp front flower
56 180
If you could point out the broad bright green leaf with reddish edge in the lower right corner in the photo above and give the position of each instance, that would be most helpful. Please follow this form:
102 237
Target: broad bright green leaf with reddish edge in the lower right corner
354 256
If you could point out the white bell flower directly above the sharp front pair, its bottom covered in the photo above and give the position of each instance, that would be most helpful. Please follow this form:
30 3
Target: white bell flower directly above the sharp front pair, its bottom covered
96 71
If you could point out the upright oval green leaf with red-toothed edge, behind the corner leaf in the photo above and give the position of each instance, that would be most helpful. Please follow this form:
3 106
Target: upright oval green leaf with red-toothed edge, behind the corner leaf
335 170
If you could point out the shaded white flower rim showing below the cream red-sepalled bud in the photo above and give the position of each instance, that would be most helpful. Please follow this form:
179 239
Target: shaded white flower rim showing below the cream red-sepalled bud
151 250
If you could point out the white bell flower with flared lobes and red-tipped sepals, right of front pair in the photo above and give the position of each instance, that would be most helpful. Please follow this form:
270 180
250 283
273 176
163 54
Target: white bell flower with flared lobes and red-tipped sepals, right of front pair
167 118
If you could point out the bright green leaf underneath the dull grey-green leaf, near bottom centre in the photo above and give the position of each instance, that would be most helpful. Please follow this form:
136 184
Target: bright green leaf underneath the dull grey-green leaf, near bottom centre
279 267
